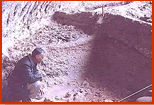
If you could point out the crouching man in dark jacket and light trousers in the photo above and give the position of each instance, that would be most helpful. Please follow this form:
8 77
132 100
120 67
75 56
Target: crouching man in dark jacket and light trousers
25 81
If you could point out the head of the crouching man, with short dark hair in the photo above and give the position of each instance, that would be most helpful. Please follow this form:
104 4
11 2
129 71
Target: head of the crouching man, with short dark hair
38 54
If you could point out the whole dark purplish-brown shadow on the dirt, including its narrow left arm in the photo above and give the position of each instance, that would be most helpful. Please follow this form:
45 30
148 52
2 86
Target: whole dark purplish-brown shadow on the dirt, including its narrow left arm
115 62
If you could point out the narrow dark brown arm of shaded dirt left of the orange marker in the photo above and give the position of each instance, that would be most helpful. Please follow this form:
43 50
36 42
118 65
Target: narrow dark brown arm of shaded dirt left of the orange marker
84 21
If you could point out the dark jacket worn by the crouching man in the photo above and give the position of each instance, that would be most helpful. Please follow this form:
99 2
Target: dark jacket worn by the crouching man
24 72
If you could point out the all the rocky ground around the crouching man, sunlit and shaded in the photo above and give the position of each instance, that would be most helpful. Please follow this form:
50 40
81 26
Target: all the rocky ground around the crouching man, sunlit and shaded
90 57
